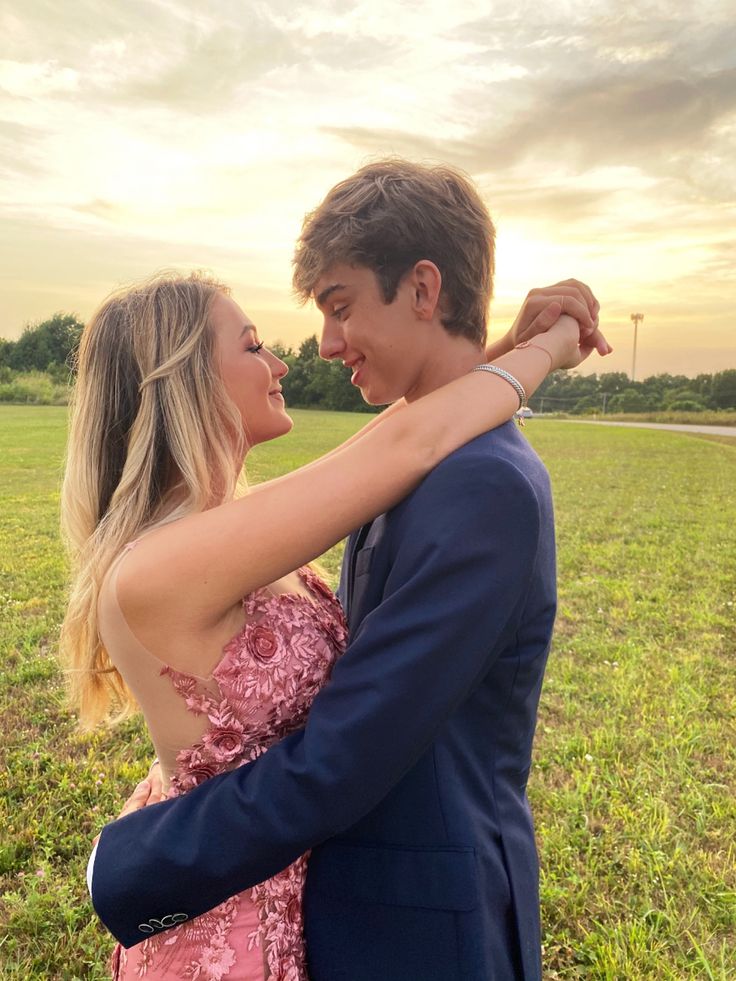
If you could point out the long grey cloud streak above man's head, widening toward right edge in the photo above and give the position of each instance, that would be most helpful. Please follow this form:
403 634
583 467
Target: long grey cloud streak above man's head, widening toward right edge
622 120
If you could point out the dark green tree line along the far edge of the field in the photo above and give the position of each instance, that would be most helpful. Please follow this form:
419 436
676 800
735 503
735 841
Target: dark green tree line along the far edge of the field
50 347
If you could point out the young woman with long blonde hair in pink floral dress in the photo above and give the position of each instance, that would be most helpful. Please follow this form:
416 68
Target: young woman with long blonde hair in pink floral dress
185 601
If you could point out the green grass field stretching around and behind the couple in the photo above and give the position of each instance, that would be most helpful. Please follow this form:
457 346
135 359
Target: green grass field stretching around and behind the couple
633 786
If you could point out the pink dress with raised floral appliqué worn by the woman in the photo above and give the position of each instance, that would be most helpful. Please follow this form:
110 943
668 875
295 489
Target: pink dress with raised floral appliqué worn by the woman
259 692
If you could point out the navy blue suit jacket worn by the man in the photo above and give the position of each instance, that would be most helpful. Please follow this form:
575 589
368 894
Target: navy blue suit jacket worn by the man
408 781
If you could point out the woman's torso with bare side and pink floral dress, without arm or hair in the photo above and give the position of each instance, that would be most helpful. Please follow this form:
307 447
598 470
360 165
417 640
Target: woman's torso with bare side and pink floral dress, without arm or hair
260 690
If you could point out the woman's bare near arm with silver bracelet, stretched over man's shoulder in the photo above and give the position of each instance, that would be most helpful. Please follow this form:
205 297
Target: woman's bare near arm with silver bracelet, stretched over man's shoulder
197 568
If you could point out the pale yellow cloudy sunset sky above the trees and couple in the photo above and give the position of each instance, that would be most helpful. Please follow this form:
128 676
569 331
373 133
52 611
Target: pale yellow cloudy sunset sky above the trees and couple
159 134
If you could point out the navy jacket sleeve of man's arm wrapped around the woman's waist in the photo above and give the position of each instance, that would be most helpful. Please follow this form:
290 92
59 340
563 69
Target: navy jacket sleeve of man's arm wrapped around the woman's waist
464 545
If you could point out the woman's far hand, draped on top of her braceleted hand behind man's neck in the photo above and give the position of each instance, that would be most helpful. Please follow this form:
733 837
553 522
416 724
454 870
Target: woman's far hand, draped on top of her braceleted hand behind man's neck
542 307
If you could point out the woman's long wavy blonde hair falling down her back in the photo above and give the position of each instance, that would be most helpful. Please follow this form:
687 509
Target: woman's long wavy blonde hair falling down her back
153 436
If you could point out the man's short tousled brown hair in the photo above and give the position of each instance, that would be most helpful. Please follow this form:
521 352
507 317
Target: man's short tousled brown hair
388 216
